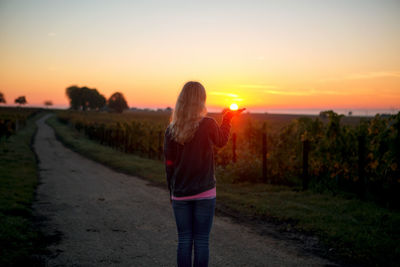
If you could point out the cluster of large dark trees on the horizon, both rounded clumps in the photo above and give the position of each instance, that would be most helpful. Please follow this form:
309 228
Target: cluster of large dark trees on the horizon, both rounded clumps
84 98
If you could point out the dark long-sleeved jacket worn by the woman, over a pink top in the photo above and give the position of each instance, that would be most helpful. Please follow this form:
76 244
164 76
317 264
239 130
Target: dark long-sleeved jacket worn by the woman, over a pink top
190 167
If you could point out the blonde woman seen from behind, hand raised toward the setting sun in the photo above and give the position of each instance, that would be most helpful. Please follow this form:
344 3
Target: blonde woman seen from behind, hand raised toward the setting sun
189 161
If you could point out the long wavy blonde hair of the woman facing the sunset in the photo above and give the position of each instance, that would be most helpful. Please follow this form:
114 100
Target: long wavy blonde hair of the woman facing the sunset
190 108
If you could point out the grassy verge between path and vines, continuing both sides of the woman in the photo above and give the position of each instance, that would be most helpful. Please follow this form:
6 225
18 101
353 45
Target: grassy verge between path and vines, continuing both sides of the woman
357 231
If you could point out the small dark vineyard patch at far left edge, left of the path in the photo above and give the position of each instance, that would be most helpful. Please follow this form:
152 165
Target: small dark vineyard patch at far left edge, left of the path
13 119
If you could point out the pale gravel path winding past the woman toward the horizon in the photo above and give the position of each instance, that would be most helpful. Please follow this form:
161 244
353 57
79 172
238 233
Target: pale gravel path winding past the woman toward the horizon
105 218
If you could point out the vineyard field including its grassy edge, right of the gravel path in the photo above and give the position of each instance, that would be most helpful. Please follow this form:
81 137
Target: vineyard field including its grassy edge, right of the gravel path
354 226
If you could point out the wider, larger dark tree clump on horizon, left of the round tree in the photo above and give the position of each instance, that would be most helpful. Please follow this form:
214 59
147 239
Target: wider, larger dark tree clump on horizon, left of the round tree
84 98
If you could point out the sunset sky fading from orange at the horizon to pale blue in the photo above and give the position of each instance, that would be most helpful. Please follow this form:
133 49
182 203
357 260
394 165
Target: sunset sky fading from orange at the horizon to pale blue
280 54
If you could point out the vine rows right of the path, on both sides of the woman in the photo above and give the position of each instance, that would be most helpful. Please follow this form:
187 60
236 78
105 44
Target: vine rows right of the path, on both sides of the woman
326 153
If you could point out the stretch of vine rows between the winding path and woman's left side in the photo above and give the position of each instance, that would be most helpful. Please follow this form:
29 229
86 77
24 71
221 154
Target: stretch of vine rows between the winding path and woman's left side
141 133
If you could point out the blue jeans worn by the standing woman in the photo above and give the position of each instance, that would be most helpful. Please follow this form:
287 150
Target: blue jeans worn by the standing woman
193 220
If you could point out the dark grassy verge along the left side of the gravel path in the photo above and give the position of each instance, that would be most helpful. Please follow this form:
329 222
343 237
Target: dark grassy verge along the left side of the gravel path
18 180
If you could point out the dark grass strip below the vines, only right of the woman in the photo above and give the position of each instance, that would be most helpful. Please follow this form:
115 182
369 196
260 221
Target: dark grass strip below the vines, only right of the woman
358 232
